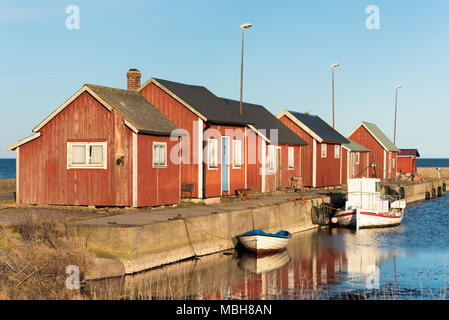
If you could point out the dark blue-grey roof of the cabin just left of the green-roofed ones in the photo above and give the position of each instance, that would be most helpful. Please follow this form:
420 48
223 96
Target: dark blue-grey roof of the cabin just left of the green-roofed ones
320 127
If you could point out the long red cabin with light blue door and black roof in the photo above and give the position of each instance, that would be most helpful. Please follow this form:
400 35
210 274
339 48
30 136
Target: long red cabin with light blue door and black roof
233 145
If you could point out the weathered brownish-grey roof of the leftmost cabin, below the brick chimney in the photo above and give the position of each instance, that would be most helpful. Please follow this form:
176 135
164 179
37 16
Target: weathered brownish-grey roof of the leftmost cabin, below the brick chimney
136 110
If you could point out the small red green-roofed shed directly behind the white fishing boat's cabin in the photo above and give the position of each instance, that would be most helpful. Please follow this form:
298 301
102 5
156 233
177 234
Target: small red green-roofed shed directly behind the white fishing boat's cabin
355 159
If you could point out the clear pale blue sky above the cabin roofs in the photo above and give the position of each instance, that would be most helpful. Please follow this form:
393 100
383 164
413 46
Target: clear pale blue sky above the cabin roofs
288 53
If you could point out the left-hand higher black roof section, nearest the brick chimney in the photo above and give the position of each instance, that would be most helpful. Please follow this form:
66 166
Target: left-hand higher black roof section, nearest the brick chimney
205 102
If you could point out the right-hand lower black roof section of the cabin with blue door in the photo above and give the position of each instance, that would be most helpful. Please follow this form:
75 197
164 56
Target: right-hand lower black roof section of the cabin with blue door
264 120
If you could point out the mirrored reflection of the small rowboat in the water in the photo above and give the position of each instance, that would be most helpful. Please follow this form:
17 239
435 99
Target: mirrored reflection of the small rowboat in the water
258 264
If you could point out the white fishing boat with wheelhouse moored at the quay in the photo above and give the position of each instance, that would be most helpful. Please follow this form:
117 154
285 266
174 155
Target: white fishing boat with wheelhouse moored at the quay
367 207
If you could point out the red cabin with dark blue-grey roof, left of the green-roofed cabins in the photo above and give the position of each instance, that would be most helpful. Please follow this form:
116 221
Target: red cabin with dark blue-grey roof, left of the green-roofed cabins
321 160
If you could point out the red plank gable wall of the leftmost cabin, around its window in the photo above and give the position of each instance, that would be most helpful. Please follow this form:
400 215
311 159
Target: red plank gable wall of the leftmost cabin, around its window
44 177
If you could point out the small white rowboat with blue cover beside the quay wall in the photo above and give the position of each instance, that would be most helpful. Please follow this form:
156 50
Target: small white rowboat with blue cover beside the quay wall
261 242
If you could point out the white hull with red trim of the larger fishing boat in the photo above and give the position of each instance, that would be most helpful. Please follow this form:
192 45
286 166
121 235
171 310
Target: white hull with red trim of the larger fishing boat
368 219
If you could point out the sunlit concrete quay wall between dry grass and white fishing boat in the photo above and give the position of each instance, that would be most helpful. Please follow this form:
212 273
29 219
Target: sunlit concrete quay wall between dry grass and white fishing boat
129 243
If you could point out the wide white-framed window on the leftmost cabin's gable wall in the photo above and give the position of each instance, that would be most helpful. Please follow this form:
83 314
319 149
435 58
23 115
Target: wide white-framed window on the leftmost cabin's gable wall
85 155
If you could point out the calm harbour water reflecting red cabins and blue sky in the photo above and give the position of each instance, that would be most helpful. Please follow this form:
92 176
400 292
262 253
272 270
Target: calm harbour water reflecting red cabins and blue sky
409 261
